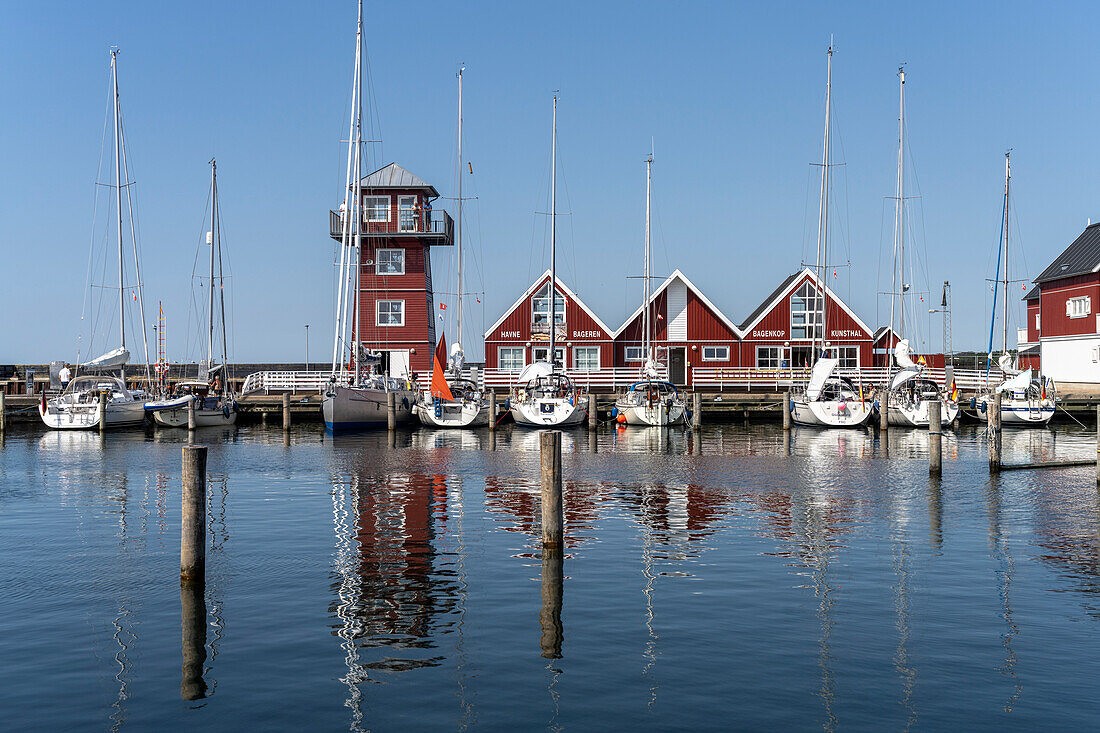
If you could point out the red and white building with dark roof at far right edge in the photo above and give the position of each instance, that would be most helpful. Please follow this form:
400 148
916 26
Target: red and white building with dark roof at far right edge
1069 333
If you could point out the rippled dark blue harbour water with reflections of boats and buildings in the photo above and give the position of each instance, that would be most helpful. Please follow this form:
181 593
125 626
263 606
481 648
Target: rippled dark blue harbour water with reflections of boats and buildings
734 579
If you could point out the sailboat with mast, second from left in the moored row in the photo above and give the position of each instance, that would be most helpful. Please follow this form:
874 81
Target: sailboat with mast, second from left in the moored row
215 403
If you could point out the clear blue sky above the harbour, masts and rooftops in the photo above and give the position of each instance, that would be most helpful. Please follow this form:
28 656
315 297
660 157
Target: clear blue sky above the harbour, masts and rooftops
732 96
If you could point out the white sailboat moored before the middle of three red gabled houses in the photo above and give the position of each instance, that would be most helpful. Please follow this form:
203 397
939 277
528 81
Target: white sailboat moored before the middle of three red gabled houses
650 401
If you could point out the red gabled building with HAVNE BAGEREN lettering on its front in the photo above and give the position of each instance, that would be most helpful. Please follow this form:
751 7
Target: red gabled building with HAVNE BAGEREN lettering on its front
522 336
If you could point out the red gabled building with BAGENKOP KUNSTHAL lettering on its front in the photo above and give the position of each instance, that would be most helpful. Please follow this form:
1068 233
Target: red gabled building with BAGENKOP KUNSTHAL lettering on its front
783 331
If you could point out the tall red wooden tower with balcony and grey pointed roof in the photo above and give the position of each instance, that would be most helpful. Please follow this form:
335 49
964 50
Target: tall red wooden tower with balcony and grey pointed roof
400 227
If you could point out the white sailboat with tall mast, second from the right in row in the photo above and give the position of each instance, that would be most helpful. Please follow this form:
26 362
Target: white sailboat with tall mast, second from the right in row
909 393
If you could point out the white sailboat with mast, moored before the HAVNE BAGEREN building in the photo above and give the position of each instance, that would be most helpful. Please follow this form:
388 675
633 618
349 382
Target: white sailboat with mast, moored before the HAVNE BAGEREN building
545 397
